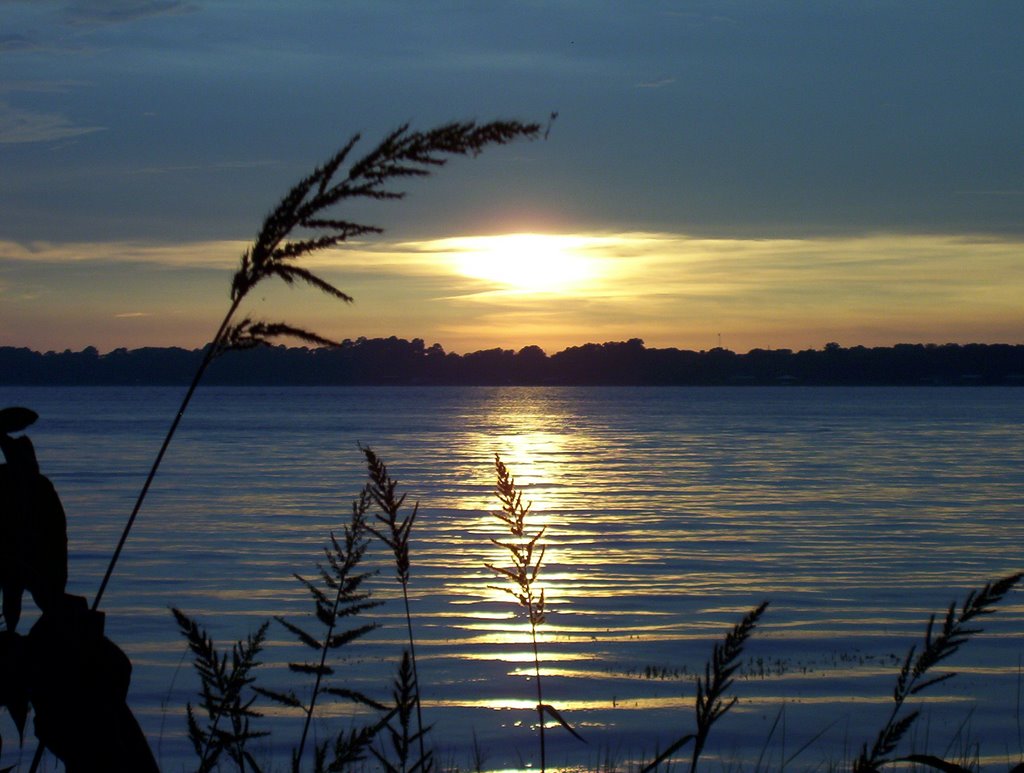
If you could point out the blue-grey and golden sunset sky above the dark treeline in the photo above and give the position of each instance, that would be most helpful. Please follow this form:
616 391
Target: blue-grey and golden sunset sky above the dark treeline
755 175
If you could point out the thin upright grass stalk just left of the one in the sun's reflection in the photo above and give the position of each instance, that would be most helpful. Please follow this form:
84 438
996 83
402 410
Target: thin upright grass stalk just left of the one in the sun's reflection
396 534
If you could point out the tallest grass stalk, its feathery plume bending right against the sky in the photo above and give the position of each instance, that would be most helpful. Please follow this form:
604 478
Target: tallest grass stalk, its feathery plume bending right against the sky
303 225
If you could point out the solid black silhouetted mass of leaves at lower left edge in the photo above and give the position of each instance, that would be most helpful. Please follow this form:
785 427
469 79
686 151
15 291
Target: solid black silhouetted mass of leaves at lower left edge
75 679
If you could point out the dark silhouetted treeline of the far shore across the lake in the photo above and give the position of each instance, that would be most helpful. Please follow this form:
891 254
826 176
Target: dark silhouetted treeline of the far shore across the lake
396 362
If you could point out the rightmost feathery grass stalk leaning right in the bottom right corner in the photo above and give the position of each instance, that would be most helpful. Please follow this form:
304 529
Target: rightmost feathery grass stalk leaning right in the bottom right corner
916 674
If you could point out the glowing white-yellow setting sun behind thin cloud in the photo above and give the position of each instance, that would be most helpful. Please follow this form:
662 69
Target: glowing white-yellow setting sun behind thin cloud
525 263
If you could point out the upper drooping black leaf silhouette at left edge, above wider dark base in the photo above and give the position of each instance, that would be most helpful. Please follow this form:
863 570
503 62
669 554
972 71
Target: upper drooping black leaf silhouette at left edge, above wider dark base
33 528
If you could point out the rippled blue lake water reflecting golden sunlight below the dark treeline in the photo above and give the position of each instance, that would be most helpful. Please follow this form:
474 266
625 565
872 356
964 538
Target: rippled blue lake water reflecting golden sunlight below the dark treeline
670 512
